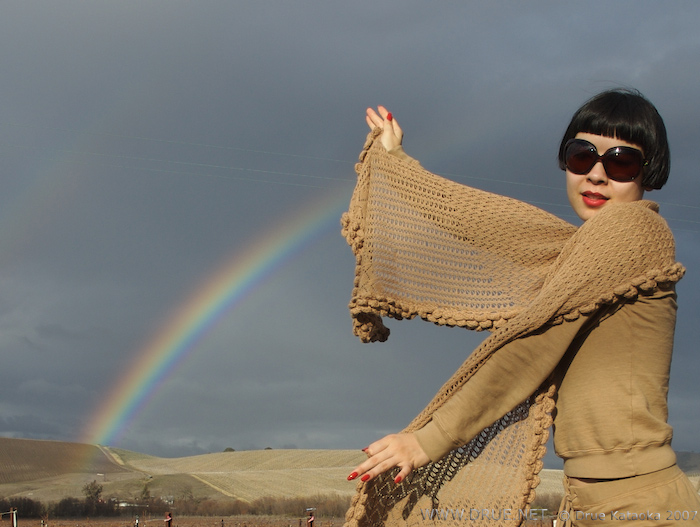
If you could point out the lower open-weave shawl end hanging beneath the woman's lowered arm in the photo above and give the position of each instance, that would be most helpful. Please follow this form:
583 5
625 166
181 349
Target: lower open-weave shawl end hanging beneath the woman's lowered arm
503 456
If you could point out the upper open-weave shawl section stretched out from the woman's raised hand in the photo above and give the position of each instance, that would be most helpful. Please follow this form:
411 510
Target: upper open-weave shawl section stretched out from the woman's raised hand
435 248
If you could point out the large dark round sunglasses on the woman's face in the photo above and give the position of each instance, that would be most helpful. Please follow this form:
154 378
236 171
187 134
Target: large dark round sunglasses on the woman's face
621 163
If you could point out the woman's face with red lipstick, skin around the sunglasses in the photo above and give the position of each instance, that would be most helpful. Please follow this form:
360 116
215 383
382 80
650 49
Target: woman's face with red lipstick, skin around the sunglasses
589 193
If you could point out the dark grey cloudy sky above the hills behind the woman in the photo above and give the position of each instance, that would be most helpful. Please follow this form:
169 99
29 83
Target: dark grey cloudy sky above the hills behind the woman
144 146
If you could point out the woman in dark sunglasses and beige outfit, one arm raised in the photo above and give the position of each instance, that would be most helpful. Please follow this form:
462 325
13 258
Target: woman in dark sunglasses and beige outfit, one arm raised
597 324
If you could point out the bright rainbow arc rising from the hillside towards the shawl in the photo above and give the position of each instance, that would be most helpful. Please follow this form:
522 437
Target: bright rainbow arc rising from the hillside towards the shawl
168 348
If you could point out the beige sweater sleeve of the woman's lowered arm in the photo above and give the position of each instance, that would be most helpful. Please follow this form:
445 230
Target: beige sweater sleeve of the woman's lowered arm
506 379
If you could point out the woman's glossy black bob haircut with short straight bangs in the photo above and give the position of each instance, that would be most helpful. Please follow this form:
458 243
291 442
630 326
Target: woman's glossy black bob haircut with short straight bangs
629 116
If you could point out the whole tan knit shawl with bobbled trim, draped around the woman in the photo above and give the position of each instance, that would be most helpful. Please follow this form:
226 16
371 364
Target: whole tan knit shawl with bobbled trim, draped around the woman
453 255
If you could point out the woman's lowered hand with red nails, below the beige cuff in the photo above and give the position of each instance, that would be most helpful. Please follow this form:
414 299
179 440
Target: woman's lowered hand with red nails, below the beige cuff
396 450
